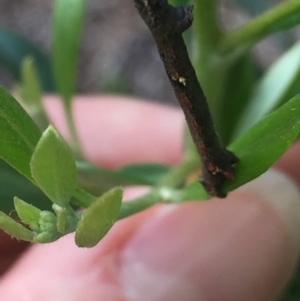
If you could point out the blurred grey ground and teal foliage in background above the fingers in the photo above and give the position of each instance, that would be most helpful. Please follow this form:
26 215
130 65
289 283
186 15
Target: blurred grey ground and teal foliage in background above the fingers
117 53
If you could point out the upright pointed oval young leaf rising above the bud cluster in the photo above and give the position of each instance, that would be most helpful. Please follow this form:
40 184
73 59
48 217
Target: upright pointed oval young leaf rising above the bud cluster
53 167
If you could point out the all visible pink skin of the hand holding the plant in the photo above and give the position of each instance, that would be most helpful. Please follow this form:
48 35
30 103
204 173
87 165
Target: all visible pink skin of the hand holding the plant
233 249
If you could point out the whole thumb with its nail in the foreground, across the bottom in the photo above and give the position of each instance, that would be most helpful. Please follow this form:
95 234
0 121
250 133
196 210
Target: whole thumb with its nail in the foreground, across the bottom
242 248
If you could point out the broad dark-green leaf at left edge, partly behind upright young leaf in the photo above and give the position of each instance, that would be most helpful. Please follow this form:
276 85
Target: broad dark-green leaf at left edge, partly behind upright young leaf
18 134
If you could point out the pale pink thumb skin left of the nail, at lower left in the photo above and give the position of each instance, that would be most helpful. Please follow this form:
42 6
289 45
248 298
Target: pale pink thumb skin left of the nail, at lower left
62 271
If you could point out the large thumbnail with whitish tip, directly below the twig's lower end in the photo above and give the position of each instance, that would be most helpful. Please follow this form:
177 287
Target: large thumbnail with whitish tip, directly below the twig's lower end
240 248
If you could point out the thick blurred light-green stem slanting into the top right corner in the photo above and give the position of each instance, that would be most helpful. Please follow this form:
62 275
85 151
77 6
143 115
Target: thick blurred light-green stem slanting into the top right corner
276 19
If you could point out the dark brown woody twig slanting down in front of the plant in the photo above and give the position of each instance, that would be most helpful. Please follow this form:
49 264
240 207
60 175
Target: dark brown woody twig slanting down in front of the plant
167 23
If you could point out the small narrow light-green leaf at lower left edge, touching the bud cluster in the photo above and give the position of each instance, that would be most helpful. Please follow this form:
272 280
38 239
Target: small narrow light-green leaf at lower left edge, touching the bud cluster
11 227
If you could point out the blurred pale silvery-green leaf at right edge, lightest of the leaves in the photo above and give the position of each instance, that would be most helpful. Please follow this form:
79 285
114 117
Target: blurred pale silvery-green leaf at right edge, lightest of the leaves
276 87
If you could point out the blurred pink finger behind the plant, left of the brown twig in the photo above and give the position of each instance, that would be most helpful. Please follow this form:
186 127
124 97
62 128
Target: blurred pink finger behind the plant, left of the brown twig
116 130
